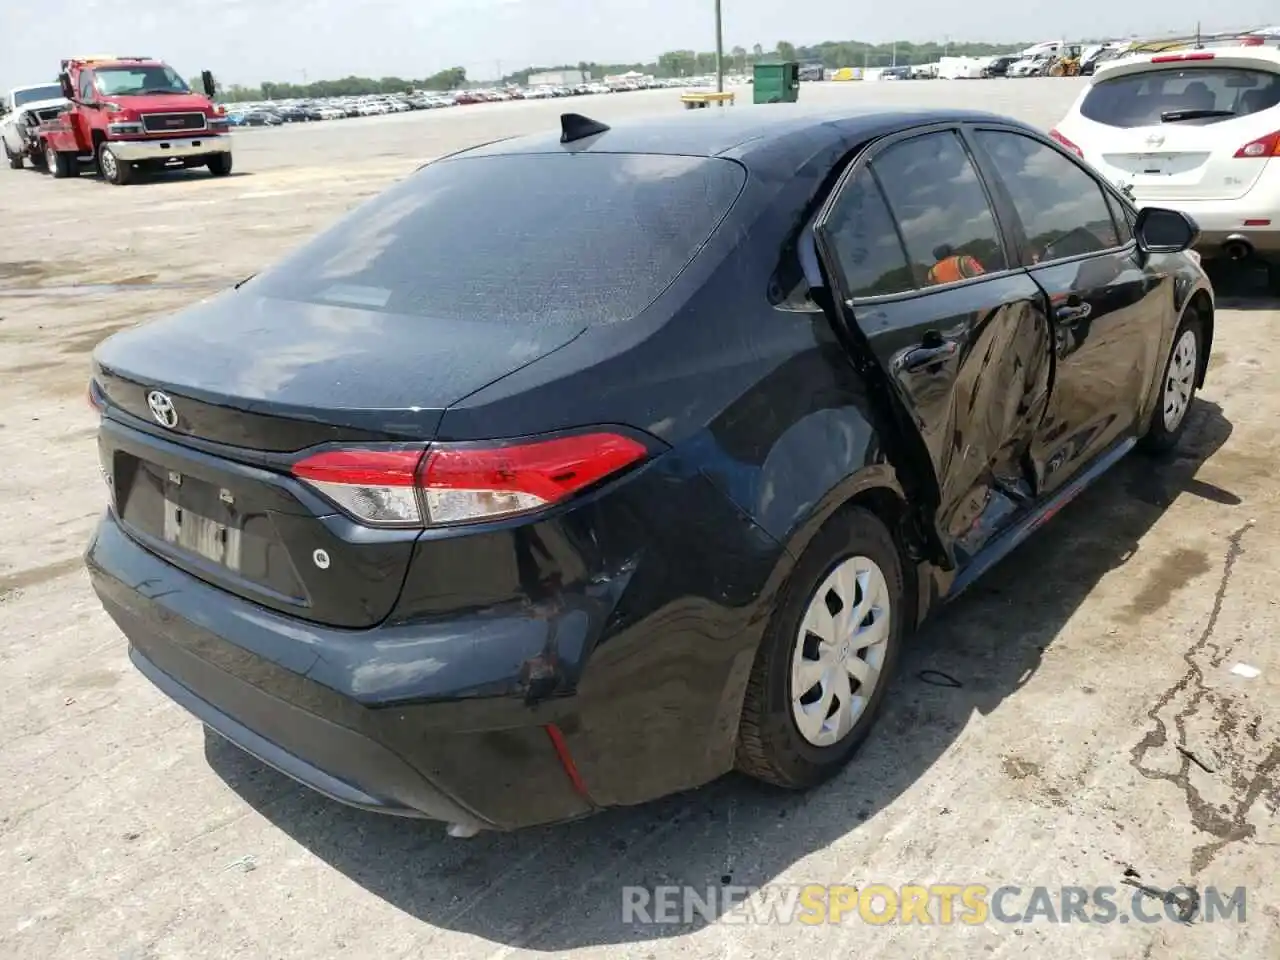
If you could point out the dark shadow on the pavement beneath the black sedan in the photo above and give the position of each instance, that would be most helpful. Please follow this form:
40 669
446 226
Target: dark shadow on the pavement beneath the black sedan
559 889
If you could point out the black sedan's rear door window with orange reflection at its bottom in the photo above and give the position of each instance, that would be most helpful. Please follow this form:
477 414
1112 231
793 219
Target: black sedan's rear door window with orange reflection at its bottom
941 209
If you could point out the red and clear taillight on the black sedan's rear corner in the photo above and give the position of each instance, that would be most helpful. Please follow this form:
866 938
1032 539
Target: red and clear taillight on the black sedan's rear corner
464 483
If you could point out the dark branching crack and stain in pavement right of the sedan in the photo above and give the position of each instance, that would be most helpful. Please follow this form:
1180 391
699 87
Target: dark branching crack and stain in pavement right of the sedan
1227 824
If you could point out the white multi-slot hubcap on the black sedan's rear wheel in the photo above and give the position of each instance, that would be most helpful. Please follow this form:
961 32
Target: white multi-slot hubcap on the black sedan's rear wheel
840 651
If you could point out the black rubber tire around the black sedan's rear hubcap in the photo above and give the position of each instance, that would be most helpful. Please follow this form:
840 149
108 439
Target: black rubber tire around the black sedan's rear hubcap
771 747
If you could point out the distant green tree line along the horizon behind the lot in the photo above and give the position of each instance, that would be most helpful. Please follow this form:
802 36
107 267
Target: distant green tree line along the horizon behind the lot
674 63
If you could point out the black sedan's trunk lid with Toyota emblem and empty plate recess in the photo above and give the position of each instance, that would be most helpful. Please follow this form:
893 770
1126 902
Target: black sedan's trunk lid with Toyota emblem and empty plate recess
205 413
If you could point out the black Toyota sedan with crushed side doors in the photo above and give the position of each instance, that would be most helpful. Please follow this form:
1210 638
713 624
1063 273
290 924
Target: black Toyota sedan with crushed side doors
580 469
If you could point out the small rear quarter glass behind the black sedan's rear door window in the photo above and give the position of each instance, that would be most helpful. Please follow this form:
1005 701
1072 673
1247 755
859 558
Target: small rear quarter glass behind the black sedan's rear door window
865 241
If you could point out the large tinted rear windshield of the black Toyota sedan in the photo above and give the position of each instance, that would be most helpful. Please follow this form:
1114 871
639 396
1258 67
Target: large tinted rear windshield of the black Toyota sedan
536 239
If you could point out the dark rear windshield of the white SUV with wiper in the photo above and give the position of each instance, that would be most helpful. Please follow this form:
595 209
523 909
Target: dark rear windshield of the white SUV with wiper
1190 97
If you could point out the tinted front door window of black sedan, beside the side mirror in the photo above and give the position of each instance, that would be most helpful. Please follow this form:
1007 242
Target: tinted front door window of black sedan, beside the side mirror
1063 208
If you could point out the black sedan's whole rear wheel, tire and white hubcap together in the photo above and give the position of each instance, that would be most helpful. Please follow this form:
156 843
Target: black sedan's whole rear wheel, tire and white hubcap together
828 656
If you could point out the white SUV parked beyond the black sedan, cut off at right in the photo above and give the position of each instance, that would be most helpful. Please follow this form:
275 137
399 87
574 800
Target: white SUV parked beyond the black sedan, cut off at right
1197 131
